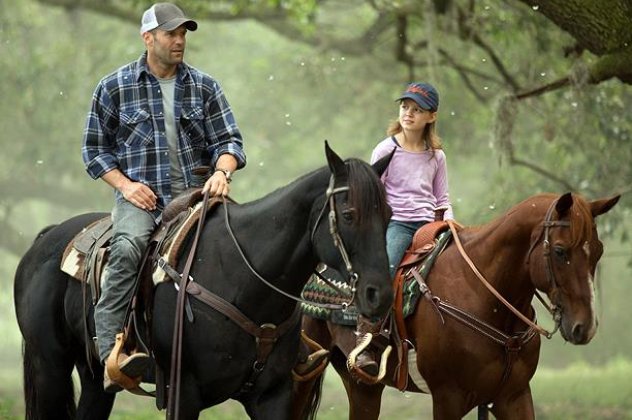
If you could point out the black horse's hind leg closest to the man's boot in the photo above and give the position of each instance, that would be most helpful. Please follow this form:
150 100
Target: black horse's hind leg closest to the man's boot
94 403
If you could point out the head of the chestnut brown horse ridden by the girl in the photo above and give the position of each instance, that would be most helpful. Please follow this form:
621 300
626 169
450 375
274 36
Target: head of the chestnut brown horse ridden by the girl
563 259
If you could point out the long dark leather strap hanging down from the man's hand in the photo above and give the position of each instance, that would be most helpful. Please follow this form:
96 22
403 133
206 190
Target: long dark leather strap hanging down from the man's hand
173 402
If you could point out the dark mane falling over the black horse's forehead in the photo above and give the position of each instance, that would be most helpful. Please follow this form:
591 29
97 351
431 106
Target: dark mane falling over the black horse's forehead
367 192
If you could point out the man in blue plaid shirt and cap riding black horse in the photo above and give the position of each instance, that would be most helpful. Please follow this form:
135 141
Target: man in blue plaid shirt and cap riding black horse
151 123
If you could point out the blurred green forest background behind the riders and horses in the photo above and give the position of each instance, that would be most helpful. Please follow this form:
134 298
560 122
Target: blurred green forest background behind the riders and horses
535 96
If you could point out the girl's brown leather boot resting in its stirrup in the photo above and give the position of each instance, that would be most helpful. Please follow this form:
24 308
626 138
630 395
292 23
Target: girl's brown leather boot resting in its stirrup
370 352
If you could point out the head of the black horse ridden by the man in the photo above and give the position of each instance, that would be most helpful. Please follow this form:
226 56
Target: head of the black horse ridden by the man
349 230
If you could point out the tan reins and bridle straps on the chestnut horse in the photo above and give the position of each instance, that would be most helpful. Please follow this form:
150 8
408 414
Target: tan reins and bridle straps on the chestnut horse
547 224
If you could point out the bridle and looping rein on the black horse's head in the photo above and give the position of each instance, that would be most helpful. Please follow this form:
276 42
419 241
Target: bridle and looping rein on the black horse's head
338 242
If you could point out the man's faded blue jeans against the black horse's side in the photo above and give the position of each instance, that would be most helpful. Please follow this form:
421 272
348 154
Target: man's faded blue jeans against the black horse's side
131 229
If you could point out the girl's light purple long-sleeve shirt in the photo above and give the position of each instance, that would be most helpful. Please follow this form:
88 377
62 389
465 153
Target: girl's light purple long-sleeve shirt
416 182
